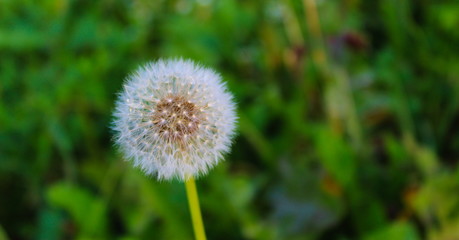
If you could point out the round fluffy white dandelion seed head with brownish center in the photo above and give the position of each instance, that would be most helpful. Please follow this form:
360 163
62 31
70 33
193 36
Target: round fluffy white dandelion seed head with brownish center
174 119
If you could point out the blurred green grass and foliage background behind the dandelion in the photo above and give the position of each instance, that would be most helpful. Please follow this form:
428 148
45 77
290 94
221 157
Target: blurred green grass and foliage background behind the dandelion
348 126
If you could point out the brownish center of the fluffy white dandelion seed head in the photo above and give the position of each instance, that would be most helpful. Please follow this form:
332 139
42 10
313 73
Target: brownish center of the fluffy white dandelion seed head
176 114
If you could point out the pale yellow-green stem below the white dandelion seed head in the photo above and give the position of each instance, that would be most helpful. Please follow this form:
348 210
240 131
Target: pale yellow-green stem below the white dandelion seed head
195 210
